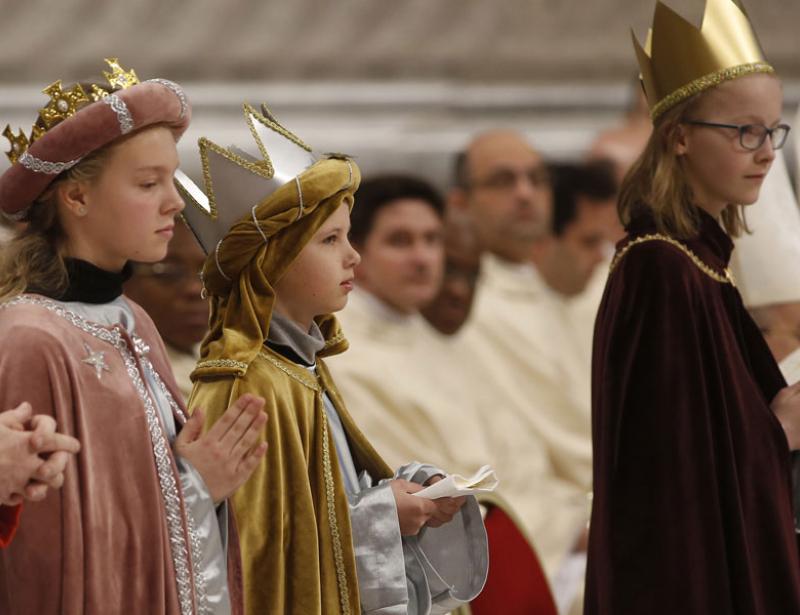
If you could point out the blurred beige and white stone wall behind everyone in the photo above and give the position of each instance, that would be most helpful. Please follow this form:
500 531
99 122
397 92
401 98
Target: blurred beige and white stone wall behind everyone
401 84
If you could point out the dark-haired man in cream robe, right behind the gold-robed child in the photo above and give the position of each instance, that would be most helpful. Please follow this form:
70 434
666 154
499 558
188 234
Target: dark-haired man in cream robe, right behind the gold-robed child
390 377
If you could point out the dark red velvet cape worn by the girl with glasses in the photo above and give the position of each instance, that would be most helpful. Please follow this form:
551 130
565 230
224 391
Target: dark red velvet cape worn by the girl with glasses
692 478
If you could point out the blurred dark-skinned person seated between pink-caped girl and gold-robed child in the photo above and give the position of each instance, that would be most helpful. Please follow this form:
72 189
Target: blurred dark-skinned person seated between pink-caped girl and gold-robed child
169 291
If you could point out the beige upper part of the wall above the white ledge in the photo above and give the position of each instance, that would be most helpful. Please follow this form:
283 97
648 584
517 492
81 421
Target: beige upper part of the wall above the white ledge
473 40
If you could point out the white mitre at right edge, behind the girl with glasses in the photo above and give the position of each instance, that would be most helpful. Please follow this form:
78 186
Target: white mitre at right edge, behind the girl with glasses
766 262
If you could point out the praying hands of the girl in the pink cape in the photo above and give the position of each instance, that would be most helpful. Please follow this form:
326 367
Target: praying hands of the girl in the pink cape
229 452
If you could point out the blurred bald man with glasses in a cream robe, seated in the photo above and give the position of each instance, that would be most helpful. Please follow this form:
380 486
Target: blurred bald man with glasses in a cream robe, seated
524 332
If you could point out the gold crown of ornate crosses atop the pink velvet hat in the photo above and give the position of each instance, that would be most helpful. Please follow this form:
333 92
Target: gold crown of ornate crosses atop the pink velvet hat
64 104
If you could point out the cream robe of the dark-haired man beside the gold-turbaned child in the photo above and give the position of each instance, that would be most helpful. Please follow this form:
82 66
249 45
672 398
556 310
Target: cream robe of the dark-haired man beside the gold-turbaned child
401 393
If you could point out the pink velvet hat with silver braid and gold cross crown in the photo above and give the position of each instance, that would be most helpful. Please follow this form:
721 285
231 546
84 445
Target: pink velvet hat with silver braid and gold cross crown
75 123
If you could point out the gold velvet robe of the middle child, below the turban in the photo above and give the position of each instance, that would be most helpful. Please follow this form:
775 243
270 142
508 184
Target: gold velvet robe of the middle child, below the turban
292 514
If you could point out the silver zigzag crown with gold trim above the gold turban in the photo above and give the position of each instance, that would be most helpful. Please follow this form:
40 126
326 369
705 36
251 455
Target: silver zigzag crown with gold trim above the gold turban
236 179
